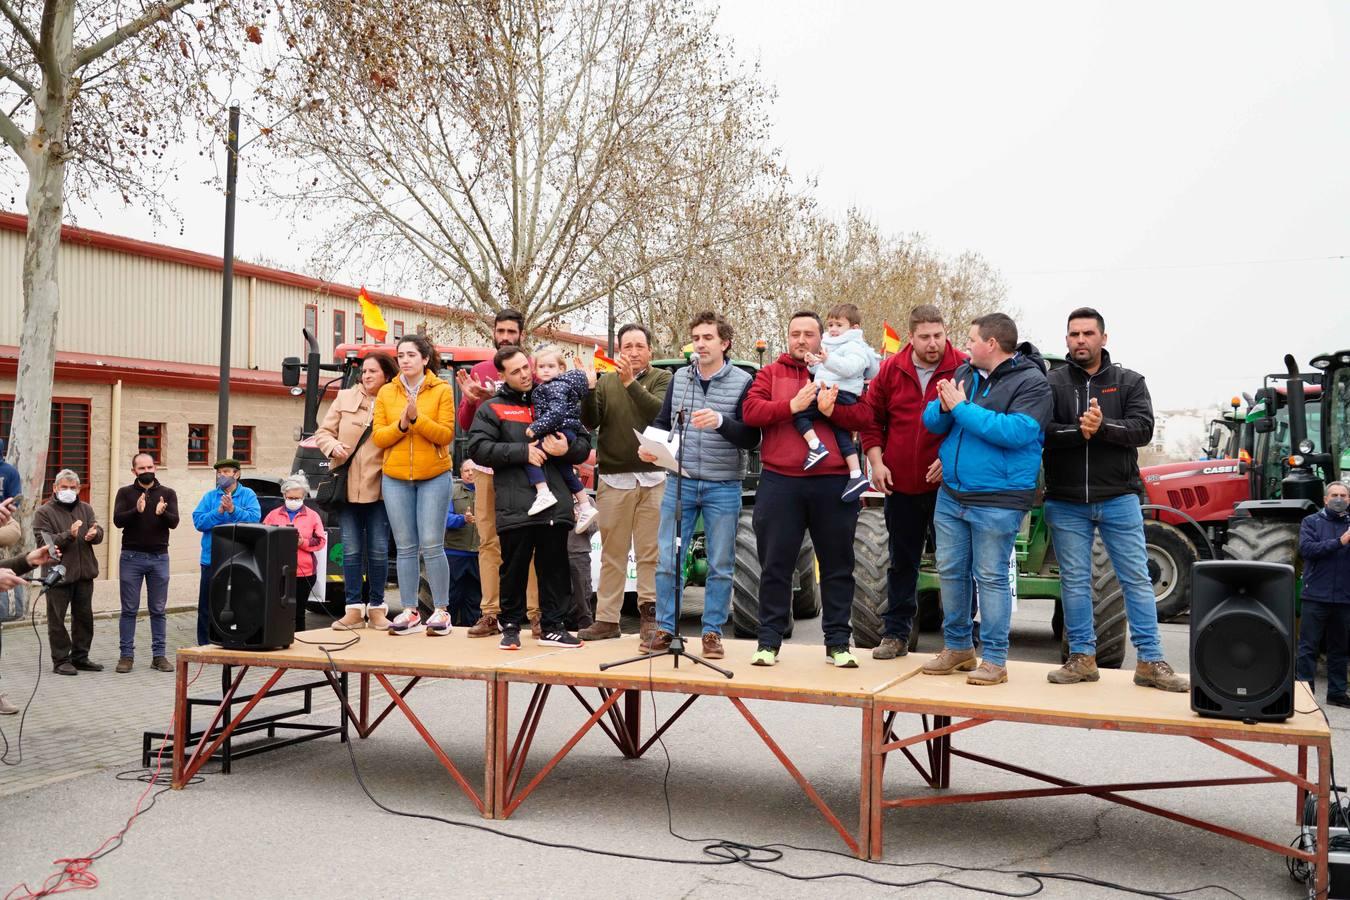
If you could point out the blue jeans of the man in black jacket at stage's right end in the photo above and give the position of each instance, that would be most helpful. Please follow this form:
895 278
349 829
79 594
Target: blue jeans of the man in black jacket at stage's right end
1121 526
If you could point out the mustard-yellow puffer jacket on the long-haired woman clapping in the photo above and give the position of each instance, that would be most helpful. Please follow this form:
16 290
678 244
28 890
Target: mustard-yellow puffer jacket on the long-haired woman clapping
423 451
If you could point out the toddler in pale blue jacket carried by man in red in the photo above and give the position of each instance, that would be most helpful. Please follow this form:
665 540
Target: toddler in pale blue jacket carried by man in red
846 361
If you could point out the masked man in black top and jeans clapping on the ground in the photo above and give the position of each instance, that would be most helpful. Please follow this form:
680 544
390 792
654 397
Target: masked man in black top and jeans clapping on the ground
146 512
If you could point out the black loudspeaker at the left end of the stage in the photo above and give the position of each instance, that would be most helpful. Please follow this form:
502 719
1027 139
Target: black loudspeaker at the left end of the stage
253 586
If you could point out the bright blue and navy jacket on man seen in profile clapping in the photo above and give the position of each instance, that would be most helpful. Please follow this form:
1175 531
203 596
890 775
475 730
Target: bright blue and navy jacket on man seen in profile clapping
992 455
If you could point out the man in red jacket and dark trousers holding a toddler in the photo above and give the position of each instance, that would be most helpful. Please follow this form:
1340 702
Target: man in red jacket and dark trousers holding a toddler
793 501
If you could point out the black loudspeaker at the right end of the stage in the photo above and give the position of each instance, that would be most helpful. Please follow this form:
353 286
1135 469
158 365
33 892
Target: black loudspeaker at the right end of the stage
1243 643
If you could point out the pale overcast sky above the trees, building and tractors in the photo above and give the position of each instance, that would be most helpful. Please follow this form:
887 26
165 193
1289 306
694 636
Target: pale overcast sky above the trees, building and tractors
1181 167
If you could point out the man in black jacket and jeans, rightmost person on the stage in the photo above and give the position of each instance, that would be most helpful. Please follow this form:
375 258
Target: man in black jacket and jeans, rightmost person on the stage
1102 415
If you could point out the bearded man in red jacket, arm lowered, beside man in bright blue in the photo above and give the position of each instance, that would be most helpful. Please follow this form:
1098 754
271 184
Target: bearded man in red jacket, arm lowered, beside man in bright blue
905 465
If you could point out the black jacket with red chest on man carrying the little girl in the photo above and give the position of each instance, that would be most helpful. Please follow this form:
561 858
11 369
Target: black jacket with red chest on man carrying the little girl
497 441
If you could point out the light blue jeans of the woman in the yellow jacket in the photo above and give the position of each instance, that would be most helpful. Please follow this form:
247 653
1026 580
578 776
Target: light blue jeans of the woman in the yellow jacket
418 517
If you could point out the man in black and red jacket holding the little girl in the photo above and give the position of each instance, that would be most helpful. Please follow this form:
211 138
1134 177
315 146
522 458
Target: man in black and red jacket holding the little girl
497 439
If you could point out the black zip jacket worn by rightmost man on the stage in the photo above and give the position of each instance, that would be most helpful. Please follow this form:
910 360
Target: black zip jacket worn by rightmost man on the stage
1108 466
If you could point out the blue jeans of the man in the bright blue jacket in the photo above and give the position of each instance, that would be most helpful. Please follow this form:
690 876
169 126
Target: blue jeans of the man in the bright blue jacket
975 542
